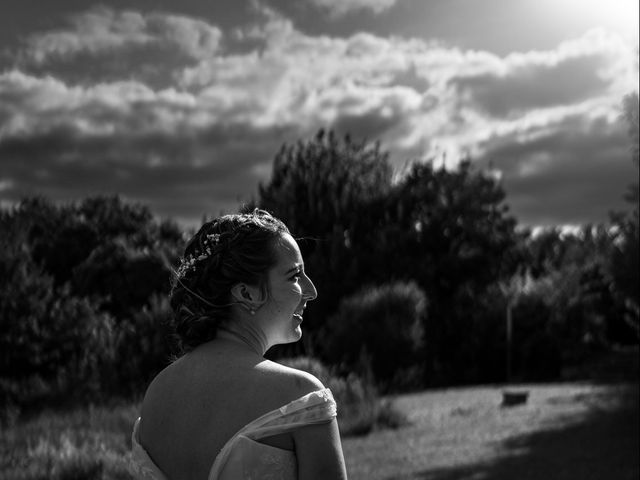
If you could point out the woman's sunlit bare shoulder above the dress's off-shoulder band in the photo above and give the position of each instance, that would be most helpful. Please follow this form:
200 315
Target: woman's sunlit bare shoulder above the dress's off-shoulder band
289 383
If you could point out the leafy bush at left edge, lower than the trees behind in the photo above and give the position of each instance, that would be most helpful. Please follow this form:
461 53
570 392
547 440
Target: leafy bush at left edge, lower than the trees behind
53 345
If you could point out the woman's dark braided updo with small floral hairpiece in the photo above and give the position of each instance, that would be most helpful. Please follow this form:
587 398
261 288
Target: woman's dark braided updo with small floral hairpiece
228 250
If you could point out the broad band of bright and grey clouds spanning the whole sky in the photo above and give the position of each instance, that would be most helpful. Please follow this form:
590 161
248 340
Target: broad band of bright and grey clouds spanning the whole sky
206 135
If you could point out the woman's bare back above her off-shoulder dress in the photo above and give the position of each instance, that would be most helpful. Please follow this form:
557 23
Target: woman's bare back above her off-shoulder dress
199 402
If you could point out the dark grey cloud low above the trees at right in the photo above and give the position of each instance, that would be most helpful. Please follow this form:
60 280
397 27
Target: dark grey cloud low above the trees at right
573 173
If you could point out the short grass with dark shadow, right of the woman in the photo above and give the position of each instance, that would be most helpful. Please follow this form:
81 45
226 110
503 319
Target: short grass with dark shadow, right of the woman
563 432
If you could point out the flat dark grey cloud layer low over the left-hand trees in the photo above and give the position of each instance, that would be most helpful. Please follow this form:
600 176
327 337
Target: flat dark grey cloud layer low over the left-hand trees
179 175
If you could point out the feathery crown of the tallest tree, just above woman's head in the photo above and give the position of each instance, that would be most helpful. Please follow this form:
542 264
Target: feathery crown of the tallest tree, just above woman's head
316 185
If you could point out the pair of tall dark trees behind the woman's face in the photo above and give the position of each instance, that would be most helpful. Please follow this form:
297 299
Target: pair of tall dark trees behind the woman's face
447 230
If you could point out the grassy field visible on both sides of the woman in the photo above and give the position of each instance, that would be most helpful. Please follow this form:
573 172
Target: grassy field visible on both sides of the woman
564 431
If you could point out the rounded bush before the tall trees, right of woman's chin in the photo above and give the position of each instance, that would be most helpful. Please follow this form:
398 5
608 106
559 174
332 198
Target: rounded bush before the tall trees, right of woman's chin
379 328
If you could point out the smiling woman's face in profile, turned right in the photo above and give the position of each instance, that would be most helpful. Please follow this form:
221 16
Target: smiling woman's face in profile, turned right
289 291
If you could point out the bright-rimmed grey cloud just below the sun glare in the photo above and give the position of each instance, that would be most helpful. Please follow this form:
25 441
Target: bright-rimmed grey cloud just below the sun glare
581 69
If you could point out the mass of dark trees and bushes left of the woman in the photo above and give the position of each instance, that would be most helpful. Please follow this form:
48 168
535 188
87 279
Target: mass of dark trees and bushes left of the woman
79 315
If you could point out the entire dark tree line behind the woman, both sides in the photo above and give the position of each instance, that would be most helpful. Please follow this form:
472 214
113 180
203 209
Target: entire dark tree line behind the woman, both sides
415 272
